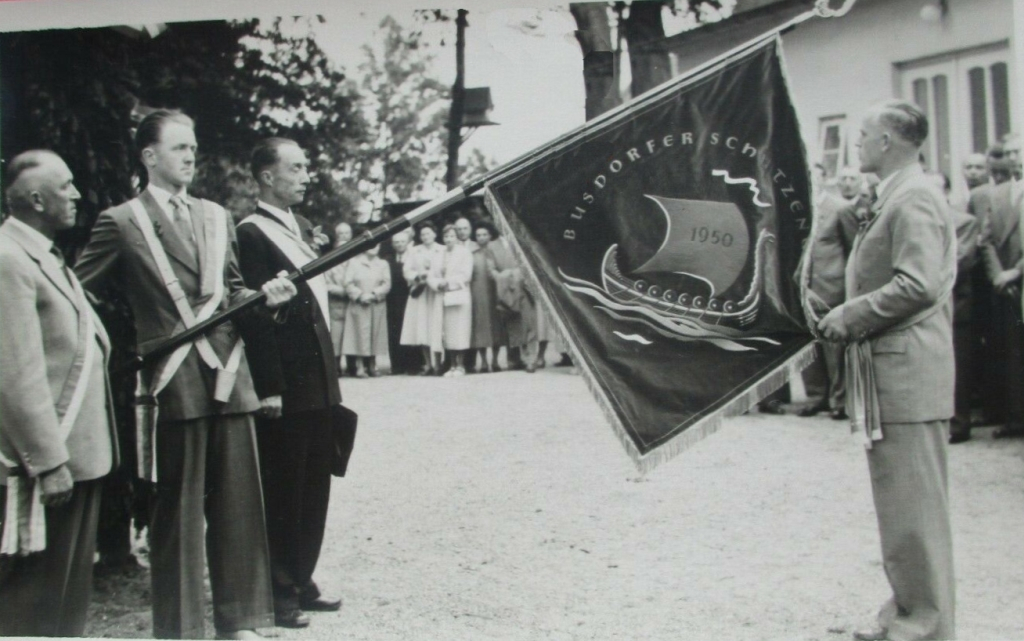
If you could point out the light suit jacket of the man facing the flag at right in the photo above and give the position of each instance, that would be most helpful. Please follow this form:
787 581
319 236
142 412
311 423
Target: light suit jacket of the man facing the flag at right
903 264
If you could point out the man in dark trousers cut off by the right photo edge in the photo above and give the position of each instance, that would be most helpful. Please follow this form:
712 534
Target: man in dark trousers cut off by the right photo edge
1001 255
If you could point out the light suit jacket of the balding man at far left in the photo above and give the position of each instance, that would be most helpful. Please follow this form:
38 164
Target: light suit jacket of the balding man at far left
39 341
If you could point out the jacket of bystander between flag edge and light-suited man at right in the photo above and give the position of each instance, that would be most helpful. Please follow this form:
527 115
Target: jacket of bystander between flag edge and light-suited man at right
835 230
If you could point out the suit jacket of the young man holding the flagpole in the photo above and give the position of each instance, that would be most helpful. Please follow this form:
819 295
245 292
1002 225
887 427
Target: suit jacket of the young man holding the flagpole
118 258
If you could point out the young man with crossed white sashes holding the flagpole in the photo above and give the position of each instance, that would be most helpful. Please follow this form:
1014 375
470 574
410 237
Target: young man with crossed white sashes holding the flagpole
174 258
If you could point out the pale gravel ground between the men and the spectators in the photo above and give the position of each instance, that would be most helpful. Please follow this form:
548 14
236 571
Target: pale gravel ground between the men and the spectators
502 507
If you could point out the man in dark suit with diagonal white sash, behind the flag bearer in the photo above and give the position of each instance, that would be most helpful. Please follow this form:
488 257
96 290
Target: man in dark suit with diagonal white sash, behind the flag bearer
296 378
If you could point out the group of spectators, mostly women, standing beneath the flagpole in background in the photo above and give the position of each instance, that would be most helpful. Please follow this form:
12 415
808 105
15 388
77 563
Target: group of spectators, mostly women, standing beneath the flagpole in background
435 305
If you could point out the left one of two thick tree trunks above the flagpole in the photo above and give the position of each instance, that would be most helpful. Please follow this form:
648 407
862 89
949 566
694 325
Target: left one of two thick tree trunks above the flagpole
594 35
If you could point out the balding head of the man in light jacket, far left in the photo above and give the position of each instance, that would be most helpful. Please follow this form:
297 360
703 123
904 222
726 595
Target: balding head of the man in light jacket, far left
41 192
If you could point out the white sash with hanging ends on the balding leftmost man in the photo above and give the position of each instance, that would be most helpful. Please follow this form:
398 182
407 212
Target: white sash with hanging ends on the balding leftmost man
25 518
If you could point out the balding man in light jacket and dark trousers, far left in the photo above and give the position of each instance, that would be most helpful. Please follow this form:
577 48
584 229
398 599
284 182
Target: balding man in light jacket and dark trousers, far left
57 432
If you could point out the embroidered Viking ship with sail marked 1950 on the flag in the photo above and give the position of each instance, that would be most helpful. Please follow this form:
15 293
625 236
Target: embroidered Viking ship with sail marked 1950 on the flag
707 241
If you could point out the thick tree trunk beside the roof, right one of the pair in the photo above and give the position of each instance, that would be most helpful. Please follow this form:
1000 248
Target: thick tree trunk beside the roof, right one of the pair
645 34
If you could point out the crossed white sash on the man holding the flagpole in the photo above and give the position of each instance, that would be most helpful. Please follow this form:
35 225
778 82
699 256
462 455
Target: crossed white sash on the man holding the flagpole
147 409
